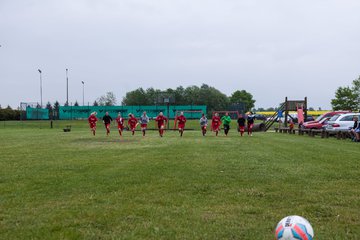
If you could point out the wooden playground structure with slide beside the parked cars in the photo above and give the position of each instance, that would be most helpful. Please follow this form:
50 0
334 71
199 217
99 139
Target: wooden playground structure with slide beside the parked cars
299 106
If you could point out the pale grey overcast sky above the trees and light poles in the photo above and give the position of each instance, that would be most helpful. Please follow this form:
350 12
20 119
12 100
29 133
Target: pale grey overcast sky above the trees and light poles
270 48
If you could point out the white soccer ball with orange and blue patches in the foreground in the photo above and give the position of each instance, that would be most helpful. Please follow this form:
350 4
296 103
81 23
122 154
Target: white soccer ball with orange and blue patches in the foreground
294 228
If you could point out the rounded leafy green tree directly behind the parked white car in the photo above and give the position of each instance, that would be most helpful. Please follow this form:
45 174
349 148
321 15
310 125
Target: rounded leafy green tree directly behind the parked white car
345 99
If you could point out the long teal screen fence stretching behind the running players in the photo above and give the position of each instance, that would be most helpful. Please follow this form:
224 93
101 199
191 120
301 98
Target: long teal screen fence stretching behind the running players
82 112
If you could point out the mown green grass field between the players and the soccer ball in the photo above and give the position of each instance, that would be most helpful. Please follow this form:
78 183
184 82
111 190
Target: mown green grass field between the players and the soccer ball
56 185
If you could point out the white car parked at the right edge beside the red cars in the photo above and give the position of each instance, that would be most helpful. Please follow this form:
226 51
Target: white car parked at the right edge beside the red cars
341 122
